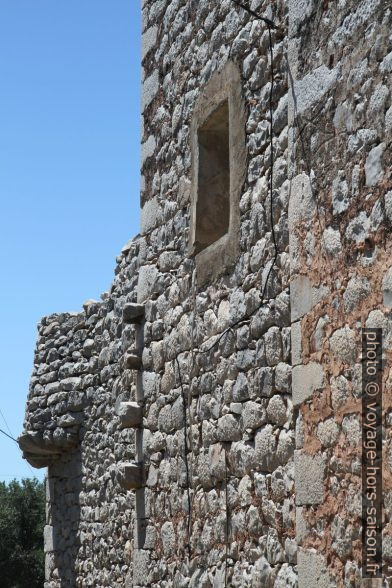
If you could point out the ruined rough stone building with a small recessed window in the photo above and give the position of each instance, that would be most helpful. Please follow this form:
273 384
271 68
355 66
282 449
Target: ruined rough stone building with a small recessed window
201 424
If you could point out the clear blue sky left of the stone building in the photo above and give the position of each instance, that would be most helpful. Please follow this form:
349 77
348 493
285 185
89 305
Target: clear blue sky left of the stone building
69 172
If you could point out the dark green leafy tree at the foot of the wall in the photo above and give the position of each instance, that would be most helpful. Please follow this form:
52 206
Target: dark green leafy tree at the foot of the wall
22 520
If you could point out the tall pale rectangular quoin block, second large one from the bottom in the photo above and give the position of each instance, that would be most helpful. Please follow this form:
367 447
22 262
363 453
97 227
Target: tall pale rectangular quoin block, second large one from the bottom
309 478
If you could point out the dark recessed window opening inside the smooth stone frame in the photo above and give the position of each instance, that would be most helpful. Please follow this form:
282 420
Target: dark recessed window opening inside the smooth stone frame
213 193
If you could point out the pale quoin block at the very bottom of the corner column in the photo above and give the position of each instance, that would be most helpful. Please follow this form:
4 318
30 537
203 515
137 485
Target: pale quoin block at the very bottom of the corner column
312 570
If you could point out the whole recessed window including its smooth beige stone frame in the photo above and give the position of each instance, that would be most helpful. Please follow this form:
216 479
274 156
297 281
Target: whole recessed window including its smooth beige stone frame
218 174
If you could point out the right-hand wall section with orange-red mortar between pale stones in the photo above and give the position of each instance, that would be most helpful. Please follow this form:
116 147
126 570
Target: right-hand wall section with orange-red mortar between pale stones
340 251
